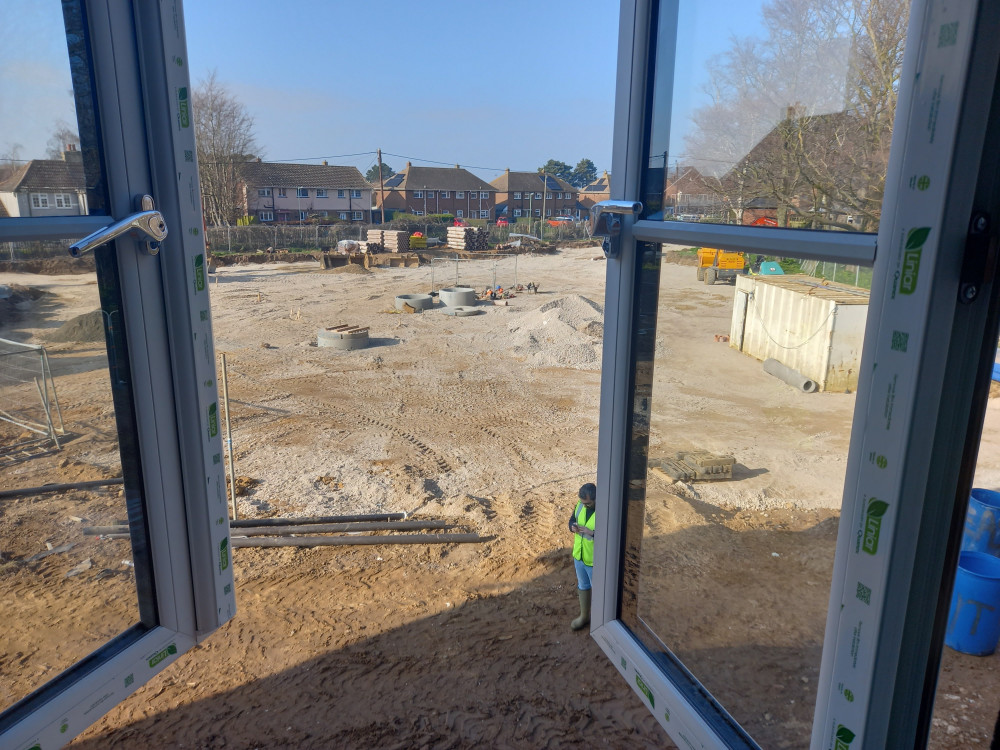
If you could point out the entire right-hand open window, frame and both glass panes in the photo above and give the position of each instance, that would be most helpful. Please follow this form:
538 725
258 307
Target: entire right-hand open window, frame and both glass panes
752 595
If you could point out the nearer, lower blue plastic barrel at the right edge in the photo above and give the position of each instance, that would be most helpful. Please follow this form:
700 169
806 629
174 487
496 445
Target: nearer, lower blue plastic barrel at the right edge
974 617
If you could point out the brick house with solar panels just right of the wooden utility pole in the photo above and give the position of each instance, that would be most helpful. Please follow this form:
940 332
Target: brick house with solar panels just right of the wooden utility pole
438 190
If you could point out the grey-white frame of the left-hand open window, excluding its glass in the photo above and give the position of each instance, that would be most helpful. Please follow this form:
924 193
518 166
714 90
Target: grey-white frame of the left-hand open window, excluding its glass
177 433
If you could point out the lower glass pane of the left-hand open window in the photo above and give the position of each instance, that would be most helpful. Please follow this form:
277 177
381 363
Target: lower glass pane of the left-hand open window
64 395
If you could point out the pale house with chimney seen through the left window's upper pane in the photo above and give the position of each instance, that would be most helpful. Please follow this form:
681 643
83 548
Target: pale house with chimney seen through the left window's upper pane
46 187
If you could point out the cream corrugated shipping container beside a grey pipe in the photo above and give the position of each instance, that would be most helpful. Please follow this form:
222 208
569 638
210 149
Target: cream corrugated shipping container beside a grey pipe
810 325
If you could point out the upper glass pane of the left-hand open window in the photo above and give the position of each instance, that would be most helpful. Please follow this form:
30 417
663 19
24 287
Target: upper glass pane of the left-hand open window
48 131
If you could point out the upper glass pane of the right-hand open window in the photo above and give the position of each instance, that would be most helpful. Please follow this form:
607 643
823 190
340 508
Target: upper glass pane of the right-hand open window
774 112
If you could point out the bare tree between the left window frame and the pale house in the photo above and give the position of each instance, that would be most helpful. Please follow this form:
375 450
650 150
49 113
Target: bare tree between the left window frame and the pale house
224 131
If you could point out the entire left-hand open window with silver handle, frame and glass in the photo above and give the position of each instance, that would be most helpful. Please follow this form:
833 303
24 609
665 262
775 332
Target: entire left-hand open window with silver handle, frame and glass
124 133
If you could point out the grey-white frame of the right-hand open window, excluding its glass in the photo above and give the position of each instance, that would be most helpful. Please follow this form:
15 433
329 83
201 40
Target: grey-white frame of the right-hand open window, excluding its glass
936 410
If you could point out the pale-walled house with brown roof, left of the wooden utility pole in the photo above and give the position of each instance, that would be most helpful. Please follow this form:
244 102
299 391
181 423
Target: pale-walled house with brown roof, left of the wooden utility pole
294 193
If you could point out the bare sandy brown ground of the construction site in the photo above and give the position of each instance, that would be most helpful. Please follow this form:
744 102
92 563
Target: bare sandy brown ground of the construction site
489 422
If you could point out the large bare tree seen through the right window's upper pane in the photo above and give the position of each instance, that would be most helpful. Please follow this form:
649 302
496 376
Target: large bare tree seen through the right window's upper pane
801 120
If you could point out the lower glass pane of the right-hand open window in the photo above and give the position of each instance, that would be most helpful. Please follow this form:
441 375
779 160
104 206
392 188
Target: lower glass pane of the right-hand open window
745 373
